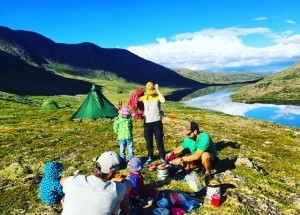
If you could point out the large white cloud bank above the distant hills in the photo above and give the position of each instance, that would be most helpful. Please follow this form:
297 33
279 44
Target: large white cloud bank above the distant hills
217 49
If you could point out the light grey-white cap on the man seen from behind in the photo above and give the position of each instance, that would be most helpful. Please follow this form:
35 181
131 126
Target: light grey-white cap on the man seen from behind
109 162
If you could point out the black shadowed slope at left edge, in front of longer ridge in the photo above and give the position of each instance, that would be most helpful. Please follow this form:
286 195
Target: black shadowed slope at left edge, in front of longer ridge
19 77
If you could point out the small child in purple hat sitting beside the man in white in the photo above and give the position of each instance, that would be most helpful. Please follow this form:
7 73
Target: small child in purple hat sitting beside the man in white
139 190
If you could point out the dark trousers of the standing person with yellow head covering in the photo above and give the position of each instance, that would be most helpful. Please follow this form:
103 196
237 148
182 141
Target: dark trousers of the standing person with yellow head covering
155 128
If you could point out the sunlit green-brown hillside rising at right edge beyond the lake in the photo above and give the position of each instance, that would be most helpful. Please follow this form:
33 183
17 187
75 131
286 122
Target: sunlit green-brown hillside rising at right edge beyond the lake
279 88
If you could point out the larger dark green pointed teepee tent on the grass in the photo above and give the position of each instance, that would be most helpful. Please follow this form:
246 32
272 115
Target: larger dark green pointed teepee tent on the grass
95 106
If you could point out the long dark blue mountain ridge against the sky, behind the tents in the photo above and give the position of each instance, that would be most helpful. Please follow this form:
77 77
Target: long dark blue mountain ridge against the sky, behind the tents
39 51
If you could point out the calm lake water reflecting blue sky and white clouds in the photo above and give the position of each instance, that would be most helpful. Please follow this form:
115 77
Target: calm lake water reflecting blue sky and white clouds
220 101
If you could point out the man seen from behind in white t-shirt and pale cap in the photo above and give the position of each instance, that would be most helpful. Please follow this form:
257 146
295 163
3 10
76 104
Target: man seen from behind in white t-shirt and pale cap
98 193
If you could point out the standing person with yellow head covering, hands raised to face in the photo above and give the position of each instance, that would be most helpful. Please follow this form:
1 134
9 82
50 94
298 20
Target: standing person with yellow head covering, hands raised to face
152 100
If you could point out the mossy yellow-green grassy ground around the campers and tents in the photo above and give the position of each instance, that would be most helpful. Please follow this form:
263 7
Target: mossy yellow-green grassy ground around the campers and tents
30 137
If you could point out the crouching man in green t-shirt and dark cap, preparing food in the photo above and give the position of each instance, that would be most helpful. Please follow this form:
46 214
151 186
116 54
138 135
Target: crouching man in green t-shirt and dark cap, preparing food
201 146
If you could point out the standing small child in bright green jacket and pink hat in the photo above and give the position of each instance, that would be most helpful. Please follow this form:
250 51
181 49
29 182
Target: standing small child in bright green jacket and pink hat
123 127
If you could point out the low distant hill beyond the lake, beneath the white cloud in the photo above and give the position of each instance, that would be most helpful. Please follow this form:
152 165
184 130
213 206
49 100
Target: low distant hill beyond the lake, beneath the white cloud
221 77
